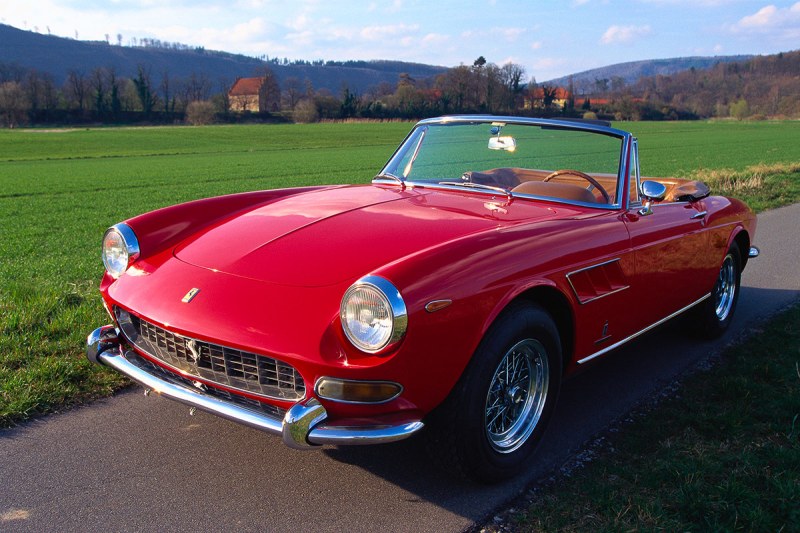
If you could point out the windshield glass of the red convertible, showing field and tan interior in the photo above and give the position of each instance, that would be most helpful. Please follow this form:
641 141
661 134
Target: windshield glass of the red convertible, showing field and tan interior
527 159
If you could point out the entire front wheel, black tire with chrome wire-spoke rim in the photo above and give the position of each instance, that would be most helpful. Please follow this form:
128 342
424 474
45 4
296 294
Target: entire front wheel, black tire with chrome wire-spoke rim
496 414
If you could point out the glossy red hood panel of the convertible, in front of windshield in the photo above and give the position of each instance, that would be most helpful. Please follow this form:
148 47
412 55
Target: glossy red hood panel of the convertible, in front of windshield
328 236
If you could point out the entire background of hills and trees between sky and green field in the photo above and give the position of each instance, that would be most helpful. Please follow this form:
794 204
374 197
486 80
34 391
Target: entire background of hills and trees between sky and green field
52 80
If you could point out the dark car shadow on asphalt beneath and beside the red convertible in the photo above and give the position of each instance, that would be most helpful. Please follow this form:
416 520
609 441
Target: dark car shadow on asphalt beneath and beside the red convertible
599 396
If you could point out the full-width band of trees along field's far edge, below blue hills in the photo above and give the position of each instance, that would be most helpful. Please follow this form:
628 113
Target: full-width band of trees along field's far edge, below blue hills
763 86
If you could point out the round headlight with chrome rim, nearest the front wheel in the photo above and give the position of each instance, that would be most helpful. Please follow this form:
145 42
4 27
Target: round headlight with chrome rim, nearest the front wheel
373 314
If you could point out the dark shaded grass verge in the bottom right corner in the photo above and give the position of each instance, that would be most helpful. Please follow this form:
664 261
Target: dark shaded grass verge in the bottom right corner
722 454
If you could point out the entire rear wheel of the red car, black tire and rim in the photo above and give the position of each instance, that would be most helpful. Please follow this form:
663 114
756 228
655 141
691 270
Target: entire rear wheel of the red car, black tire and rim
712 317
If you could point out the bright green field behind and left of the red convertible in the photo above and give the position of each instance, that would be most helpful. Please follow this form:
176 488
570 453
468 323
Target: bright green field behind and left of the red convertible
60 189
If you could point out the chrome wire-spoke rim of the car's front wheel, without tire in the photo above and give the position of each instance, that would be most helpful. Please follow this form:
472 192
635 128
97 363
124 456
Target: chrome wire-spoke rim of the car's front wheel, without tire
516 396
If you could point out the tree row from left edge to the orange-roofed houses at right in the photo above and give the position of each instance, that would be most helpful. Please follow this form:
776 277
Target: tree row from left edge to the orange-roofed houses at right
102 96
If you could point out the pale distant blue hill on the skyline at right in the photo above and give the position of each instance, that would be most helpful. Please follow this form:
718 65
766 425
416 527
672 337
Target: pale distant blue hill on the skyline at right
585 82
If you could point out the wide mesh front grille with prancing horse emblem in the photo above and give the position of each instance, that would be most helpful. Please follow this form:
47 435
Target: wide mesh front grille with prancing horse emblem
230 367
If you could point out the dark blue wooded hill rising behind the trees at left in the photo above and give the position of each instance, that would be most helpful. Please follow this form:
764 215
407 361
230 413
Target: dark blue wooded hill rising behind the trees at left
58 55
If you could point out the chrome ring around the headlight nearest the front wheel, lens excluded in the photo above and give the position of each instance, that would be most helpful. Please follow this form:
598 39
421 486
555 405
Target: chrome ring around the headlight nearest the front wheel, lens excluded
396 307
